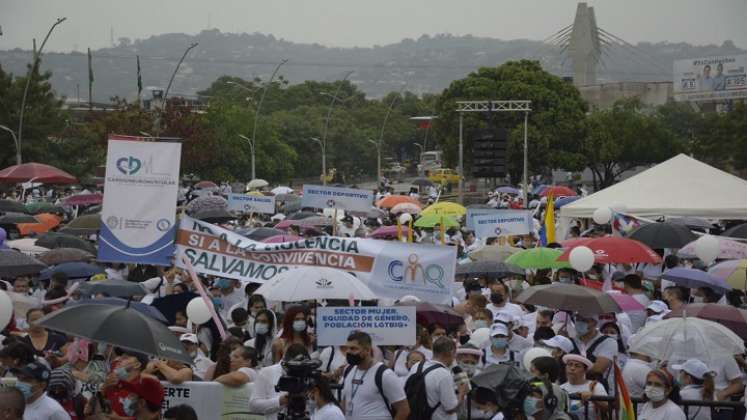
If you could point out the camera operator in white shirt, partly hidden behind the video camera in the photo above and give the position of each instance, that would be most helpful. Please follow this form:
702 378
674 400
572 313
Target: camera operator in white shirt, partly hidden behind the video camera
265 399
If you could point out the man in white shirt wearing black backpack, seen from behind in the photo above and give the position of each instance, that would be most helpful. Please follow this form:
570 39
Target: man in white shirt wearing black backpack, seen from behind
439 382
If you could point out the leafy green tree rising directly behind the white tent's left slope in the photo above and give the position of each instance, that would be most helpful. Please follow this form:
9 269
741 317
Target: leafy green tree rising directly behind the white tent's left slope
623 137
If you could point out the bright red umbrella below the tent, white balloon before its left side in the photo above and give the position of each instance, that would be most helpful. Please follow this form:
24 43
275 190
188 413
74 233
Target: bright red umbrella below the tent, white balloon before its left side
616 250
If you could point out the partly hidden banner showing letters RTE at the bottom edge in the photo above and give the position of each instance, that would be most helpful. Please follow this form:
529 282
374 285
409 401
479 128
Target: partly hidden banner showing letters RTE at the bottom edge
210 400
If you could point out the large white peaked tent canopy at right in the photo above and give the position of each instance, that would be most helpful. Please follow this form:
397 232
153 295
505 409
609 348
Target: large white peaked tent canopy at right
680 186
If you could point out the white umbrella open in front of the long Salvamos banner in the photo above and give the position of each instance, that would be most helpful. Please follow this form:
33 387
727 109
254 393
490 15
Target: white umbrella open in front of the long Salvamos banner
314 283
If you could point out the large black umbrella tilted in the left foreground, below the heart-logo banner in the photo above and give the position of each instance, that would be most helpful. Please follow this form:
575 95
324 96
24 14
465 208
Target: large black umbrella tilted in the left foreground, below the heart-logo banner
119 326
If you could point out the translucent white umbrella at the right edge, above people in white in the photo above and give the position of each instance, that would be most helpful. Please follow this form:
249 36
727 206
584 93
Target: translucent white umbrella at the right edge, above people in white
679 339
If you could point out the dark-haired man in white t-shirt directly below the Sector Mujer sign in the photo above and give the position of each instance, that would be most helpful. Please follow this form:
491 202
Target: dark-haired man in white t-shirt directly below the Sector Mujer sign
361 397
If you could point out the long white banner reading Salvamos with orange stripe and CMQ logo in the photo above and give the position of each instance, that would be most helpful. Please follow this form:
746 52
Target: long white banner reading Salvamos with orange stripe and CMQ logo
390 269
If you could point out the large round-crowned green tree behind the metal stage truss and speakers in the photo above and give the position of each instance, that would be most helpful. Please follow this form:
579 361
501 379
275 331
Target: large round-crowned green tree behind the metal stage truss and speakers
555 122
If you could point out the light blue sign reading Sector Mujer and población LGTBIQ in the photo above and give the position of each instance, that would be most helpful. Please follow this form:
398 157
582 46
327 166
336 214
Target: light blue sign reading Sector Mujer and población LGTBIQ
387 325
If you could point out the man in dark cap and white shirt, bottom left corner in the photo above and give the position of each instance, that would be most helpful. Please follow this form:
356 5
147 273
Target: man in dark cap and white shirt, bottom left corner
32 382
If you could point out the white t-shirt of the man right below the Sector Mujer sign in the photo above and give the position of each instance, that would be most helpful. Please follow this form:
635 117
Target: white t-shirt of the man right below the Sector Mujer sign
362 398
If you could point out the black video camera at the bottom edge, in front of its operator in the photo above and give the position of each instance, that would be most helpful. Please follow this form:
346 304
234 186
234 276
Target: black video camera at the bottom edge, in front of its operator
301 375
